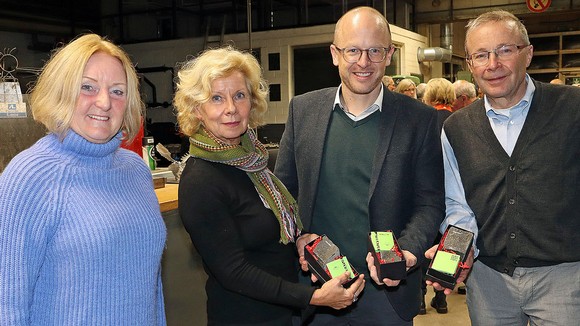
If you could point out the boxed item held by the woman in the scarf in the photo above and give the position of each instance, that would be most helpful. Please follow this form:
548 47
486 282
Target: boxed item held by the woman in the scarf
326 262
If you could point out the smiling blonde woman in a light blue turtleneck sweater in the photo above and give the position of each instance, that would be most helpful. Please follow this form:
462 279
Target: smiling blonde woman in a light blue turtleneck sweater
81 235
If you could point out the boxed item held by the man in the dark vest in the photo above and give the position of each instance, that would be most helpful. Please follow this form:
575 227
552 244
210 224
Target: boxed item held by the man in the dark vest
449 260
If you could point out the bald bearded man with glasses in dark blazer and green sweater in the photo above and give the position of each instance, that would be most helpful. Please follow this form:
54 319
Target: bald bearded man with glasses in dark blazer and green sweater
360 158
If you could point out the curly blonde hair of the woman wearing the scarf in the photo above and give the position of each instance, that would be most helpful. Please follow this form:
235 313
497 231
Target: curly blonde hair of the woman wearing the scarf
195 78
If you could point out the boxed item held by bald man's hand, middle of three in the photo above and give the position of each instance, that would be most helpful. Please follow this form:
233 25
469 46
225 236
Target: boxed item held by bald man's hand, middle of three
387 254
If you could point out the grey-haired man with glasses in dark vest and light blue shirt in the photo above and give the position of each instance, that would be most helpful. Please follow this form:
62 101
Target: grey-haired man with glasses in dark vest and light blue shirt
512 171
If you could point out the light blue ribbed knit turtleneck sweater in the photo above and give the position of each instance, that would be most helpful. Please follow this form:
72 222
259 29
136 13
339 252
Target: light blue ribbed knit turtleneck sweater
81 236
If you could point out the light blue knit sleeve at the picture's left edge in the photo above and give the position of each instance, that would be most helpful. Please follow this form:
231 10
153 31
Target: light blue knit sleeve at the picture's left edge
27 222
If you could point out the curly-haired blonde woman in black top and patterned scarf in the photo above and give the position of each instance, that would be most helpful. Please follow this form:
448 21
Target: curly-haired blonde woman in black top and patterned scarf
242 220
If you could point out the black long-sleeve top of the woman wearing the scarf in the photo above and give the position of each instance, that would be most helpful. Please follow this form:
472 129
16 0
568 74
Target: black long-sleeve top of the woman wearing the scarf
252 277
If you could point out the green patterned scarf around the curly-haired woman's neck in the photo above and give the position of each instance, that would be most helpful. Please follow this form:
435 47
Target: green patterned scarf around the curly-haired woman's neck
252 157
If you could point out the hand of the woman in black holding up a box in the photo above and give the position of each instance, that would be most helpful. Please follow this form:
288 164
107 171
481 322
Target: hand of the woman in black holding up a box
334 295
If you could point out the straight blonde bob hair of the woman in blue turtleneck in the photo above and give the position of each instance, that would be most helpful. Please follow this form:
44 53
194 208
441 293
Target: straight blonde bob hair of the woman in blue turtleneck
54 96
